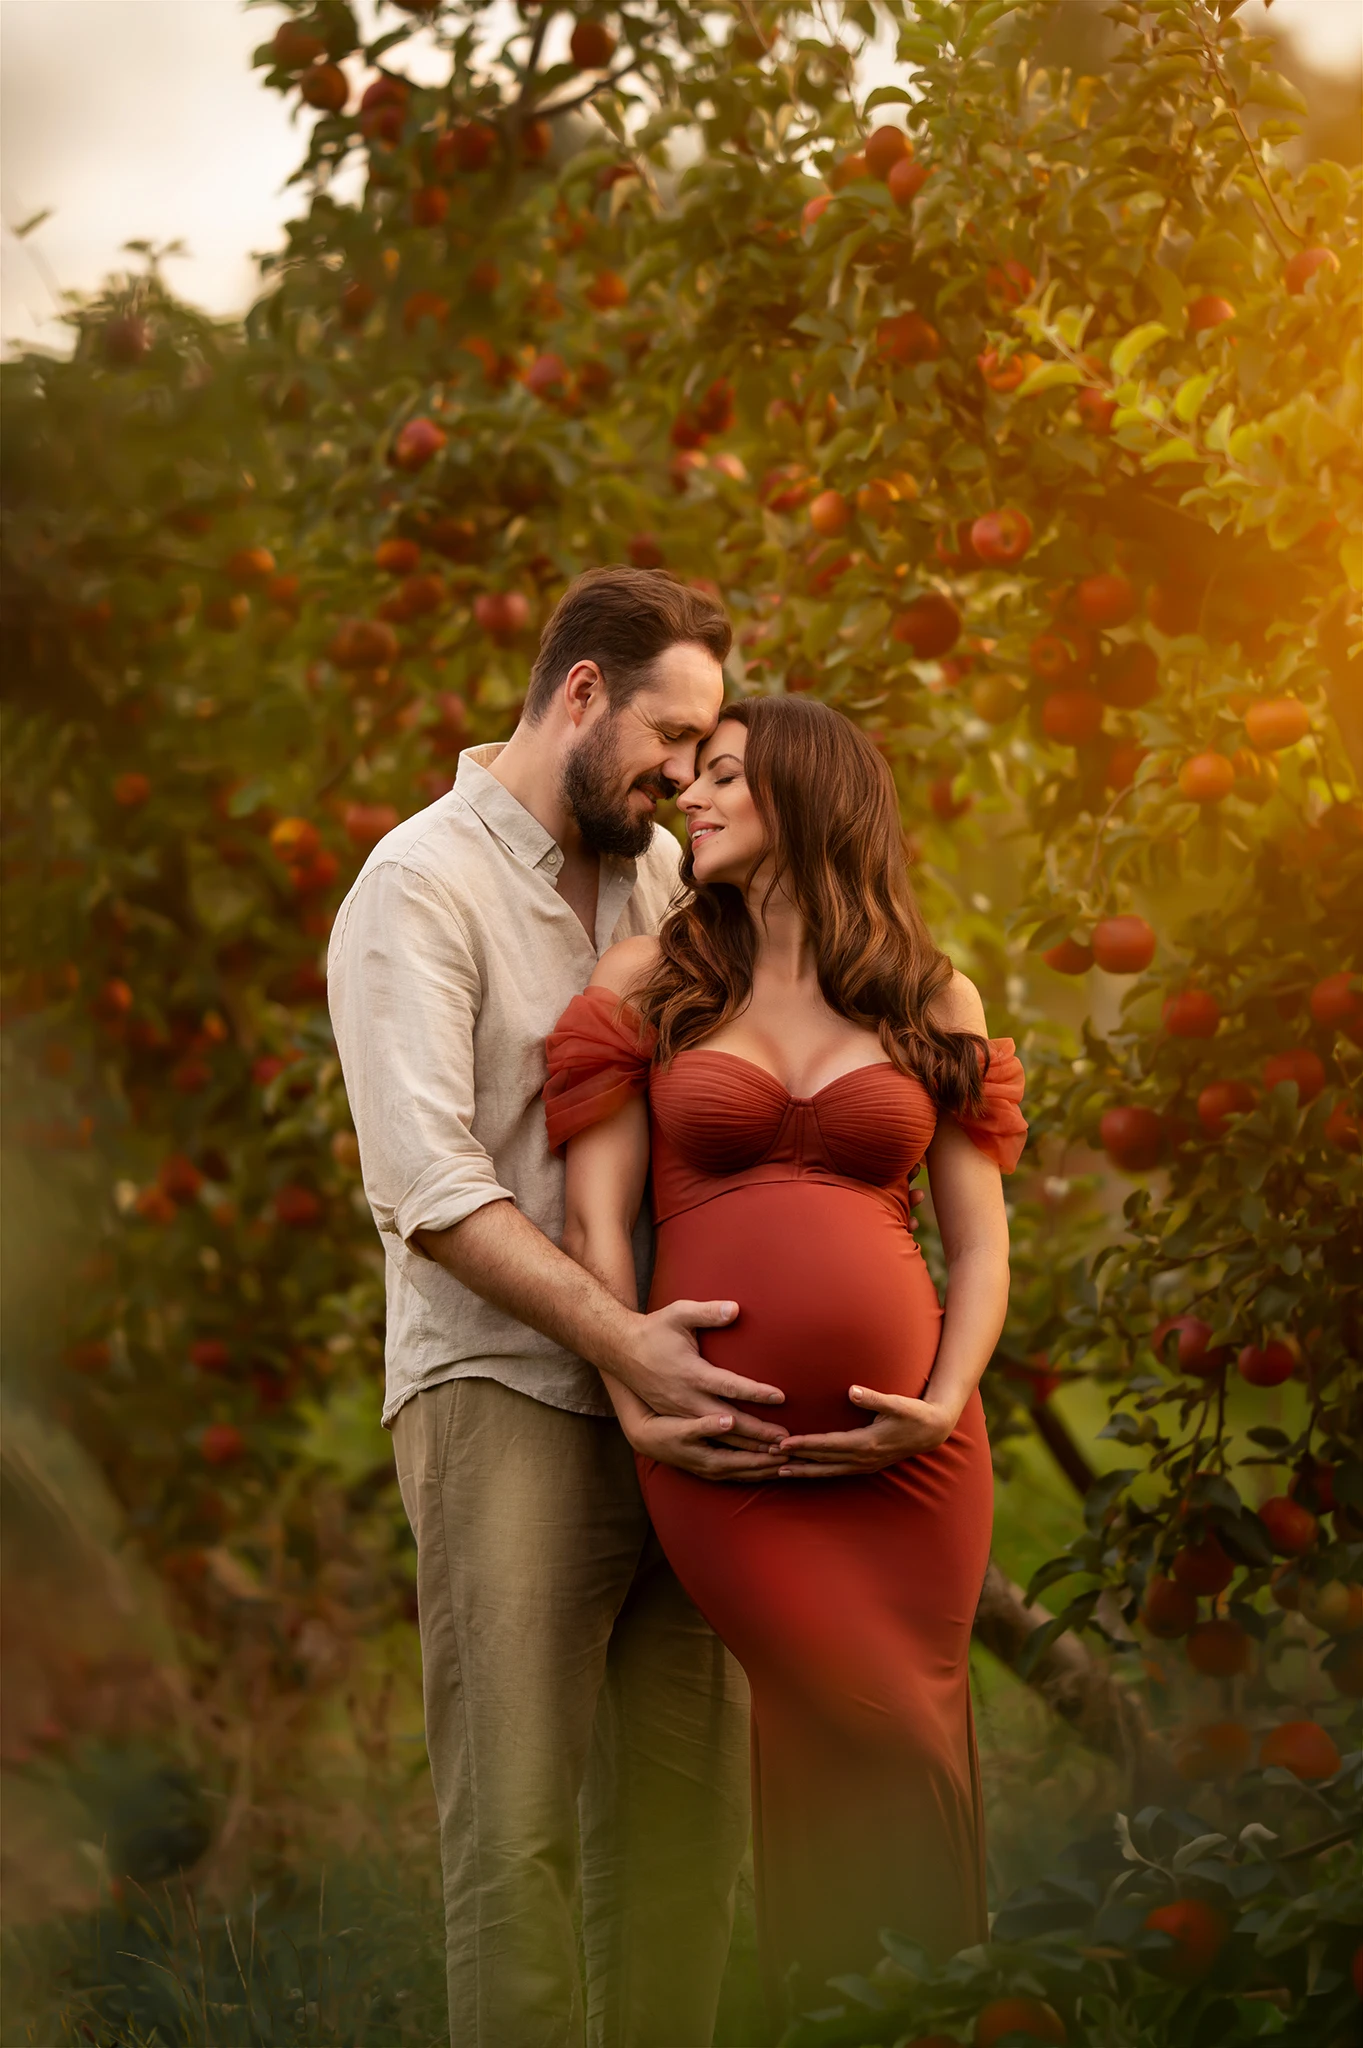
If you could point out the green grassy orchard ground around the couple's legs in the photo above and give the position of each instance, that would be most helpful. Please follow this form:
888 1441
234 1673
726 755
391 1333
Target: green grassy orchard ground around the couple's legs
322 1926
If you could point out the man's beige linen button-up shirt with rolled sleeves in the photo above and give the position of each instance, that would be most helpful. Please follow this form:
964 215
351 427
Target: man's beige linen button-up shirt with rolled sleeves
451 962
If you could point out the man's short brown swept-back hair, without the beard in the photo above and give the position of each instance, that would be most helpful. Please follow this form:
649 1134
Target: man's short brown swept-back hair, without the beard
623 620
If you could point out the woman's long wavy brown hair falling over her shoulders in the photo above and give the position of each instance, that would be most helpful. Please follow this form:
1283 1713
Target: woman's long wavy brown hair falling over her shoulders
828 802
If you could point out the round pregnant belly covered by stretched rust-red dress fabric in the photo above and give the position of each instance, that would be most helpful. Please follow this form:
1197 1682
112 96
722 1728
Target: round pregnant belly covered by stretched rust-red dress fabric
832 1293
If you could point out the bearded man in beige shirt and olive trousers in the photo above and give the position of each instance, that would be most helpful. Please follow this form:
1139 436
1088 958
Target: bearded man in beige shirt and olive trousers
586 1732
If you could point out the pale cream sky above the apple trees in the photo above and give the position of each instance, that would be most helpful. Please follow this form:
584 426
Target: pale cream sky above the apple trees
144 120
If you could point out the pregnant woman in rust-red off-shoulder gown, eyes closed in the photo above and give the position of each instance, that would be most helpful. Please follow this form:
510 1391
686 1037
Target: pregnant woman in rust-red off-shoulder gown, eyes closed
779 1062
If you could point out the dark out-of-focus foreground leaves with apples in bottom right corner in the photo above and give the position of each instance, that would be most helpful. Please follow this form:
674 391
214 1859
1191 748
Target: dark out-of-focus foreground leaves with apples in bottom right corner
1159 1932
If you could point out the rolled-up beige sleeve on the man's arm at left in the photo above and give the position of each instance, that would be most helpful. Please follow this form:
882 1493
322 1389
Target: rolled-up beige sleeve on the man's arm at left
404 994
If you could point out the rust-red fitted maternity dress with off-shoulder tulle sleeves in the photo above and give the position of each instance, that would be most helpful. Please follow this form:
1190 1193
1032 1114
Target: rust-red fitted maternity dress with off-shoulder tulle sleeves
848 1601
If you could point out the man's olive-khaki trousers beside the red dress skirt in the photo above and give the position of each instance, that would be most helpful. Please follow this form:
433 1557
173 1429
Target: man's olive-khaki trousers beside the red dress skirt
586 1734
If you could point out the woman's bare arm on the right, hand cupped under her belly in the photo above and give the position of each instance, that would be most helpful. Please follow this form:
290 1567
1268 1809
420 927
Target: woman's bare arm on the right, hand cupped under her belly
975 1236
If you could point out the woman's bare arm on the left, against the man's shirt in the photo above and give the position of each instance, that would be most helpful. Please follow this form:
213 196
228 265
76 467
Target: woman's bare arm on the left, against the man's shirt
605 1189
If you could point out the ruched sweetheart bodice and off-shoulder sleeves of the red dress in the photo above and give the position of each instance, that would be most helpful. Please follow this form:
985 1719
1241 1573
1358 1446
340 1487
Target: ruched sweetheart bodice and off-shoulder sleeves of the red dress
719 1121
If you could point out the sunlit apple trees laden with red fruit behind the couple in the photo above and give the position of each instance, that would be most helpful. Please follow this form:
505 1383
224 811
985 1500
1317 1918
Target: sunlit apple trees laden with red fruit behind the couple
1028 437
